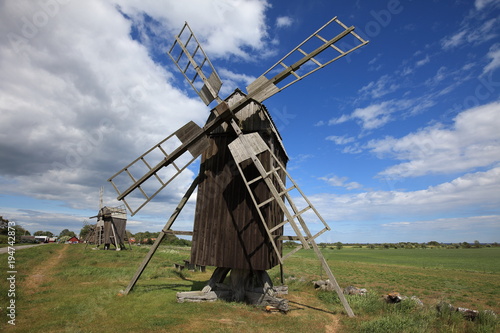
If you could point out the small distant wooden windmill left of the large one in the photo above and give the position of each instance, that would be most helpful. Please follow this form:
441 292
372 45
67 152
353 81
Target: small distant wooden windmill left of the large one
110 226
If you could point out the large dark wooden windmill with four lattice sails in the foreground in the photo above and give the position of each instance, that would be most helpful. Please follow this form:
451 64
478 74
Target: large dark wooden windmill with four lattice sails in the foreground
245 197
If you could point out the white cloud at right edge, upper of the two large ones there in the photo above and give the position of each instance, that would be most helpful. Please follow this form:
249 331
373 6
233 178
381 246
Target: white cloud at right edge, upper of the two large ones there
472 142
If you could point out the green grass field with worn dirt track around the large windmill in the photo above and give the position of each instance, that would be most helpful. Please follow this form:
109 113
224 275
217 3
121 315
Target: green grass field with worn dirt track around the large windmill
65 288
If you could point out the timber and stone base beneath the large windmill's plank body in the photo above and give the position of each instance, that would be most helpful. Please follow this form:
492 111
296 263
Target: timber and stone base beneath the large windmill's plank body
251 287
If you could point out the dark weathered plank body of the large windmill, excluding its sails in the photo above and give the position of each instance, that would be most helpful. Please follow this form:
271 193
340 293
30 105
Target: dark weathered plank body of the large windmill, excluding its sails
227 231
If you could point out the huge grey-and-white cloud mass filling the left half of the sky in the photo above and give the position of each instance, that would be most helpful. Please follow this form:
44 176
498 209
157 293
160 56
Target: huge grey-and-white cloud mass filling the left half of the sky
81 99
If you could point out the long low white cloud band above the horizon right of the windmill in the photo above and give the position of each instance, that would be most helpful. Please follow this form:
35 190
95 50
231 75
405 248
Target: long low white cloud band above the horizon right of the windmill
463 195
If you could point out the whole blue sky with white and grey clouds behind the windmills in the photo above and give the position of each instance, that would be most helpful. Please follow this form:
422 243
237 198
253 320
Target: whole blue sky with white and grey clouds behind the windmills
397 142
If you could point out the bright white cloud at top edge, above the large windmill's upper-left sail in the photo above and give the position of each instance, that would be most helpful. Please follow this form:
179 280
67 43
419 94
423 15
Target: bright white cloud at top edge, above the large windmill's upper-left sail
244 22
